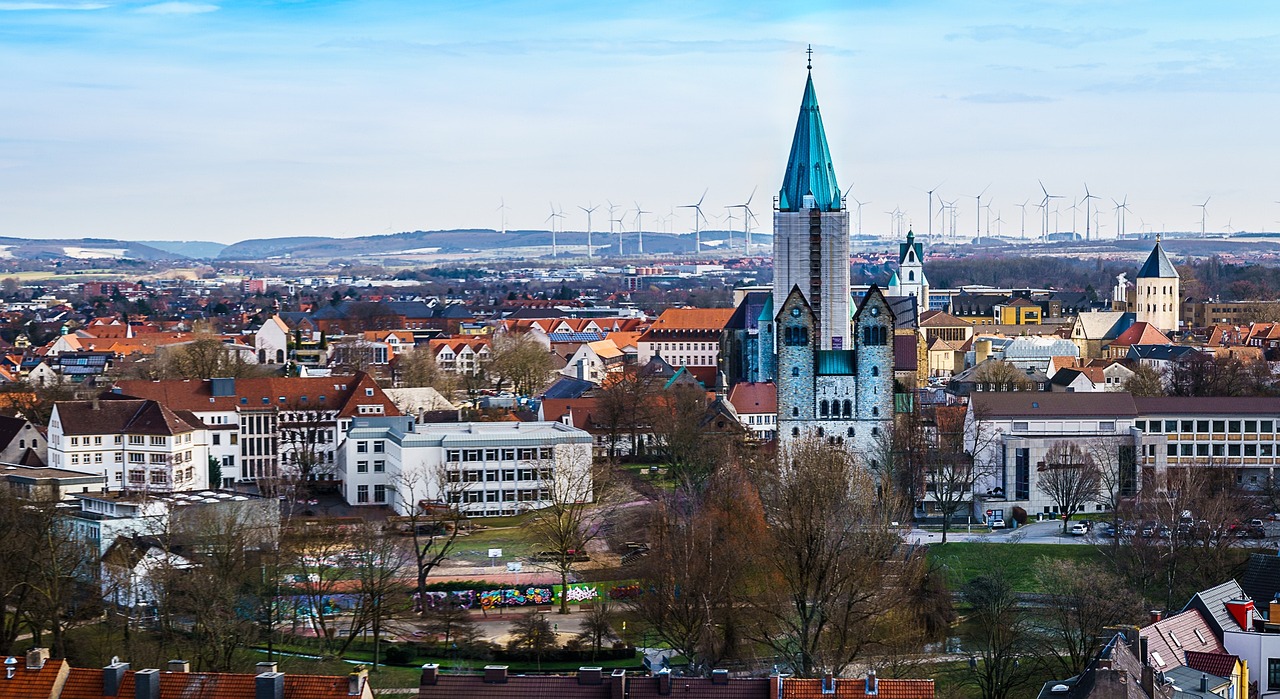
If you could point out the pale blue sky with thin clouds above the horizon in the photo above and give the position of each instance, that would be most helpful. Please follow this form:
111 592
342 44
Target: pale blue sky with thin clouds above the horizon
225 121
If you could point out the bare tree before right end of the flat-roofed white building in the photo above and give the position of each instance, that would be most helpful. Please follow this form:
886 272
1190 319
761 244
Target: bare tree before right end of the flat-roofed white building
578 506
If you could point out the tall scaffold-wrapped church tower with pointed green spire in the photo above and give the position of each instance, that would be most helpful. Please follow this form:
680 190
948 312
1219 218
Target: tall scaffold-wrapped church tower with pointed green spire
811 231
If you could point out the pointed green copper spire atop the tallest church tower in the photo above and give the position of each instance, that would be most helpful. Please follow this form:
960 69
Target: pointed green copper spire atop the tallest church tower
810 170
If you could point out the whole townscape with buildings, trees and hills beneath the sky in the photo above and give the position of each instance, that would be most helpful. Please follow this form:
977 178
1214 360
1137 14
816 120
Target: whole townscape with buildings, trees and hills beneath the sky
629 464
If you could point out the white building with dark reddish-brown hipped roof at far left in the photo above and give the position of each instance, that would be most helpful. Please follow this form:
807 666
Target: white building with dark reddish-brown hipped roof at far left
135 445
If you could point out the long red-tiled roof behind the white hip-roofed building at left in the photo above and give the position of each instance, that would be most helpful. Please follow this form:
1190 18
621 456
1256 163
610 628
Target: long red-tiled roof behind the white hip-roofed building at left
344 394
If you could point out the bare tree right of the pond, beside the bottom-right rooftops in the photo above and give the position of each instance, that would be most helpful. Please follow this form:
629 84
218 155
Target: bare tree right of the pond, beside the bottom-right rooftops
1082 602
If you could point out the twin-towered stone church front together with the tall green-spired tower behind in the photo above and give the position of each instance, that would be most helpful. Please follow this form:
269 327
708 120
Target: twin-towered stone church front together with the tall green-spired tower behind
834 363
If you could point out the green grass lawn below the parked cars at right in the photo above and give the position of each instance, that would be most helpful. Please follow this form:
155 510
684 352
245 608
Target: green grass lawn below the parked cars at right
966 561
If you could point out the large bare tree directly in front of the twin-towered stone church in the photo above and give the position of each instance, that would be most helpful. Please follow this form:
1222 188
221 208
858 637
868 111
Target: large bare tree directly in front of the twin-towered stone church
831 558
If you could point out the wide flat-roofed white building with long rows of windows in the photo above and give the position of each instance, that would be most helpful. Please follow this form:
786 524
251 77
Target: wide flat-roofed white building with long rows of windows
488 469
